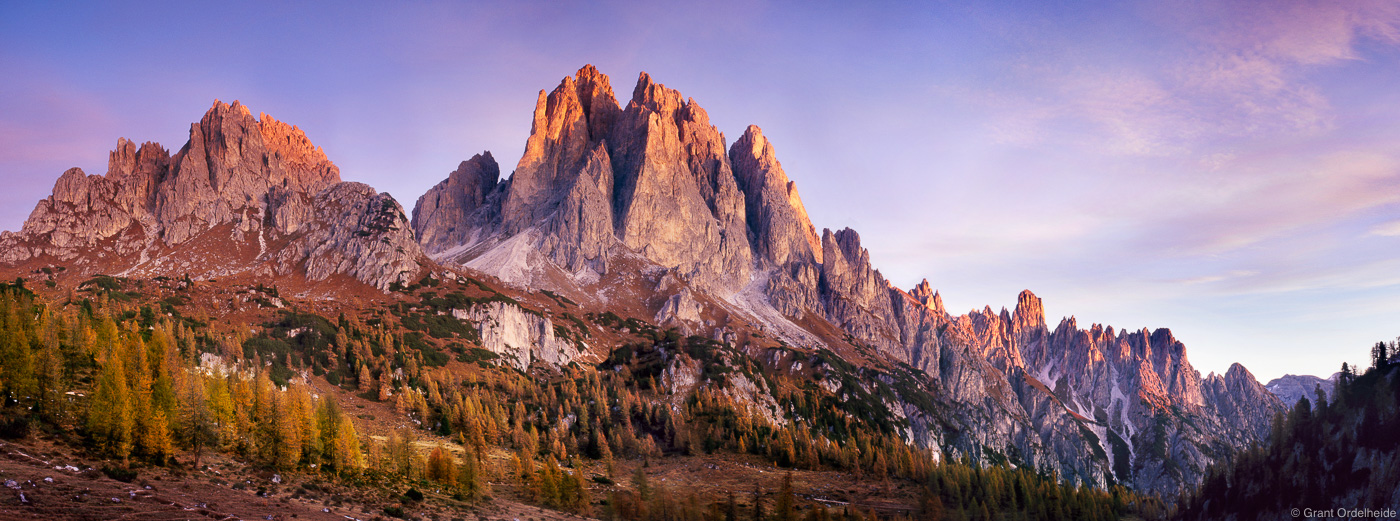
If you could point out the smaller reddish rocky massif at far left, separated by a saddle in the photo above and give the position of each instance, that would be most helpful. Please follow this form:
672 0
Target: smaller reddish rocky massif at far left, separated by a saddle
260 179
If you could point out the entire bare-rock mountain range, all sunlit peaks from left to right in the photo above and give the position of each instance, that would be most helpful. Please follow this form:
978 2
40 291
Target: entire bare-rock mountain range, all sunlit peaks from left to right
646 211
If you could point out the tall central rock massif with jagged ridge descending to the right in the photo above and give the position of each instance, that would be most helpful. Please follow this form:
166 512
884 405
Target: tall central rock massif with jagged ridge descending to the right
653 179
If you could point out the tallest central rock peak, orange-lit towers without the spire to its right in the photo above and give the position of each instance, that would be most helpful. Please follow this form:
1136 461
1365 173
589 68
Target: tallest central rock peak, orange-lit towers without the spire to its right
654 179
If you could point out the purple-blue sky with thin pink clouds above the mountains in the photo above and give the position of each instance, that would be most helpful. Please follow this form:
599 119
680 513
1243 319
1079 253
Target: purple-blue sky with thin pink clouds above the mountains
1228 170
